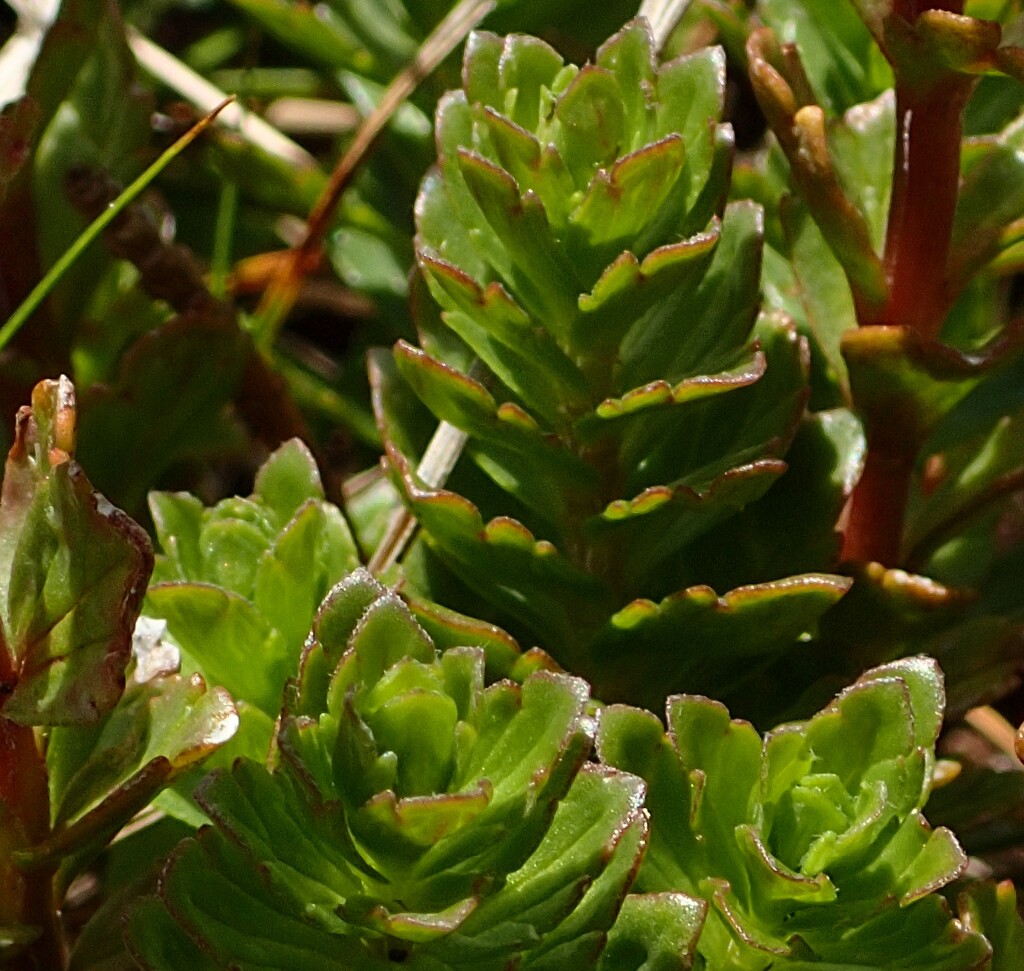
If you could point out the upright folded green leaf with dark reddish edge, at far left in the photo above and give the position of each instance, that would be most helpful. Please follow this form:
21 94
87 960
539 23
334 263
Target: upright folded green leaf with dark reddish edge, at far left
73 572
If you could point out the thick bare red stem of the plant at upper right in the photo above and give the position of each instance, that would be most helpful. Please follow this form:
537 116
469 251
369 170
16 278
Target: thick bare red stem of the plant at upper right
926 180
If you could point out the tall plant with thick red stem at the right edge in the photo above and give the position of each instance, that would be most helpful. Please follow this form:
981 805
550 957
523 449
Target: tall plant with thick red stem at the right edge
890 237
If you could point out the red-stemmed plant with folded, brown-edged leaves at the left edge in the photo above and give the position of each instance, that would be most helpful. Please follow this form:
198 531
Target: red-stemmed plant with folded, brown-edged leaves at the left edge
80 752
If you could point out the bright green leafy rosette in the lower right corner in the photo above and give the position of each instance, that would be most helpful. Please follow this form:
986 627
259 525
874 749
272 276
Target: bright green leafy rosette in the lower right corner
809 846
